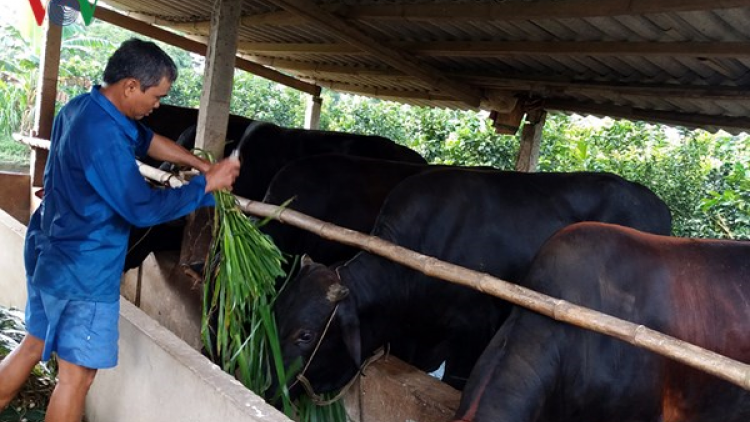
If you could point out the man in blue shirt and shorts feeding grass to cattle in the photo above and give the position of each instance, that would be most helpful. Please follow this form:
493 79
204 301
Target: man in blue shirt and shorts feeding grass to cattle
77 239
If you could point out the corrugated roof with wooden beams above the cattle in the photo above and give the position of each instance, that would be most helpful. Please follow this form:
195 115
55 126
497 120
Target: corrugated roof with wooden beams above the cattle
679 62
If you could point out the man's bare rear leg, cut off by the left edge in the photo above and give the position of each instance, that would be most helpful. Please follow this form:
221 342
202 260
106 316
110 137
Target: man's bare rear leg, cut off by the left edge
16 367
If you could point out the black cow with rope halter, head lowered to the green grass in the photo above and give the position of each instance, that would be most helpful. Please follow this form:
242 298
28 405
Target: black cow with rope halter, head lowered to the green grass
490 221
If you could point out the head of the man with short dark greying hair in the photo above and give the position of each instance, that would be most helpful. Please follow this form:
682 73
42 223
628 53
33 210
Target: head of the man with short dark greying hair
140 74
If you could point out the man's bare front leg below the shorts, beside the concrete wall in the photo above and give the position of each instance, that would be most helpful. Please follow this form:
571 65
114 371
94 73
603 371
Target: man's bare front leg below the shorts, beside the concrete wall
69 397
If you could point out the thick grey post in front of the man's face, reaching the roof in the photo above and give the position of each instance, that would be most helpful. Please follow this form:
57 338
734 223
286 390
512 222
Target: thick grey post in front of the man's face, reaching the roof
213 114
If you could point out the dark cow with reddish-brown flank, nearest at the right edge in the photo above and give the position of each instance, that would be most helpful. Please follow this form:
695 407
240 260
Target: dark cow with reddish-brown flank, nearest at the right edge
539 370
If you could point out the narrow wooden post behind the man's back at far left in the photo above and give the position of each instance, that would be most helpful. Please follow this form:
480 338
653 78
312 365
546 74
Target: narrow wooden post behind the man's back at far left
44 109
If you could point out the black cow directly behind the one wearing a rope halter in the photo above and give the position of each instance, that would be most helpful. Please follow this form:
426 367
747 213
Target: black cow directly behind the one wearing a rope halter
341 189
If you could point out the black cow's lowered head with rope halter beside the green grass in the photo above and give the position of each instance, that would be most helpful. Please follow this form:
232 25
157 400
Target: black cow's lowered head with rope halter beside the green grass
318 330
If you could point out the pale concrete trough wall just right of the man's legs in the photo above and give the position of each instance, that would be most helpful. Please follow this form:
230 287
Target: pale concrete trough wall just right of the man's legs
160 378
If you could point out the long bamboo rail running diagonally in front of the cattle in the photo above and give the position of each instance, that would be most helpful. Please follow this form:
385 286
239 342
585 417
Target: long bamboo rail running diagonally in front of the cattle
639 335
